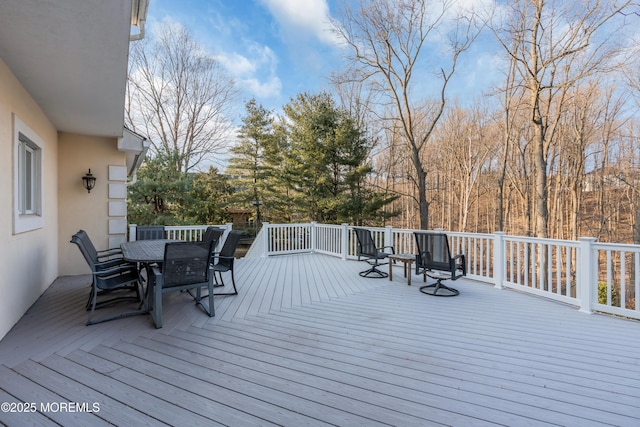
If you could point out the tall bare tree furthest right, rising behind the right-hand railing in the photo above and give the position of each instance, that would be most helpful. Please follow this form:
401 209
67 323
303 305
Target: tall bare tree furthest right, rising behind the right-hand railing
555 44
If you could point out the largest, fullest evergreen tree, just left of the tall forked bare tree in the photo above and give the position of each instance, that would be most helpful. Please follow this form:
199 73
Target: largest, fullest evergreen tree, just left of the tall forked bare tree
327 162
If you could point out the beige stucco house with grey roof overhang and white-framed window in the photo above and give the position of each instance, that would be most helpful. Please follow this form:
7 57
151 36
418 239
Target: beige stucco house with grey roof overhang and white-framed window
63 69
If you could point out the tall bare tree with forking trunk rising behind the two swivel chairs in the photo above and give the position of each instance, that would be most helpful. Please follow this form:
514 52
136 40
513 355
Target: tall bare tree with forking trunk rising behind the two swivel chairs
388 42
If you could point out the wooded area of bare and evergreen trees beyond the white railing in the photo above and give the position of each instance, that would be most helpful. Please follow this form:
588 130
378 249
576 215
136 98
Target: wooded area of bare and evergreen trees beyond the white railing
552 151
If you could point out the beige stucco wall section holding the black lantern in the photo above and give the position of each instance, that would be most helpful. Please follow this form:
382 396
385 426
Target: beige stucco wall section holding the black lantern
82 210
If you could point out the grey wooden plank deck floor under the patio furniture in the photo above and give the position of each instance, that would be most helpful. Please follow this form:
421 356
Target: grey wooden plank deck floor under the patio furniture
309 342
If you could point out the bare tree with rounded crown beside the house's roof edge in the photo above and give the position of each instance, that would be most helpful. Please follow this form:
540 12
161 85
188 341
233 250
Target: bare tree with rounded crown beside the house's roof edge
179 96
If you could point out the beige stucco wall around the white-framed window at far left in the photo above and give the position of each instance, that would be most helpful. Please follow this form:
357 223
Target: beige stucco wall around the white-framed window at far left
28 261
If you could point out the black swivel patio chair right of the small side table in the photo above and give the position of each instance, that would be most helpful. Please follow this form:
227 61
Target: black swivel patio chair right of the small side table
434 260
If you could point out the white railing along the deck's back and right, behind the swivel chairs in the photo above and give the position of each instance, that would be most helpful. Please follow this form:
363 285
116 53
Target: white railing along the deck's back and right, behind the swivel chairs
584 273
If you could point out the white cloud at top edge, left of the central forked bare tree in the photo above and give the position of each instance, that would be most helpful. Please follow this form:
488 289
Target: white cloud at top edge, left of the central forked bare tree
299 17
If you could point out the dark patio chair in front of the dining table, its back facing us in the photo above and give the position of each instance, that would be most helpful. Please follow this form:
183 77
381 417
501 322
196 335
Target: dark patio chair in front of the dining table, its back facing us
186 266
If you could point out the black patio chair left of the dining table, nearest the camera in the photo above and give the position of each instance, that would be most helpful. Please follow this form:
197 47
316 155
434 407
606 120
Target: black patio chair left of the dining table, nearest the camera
119 279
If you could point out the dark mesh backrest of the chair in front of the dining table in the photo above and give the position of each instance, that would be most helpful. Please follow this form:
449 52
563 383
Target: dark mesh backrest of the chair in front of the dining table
186 263
